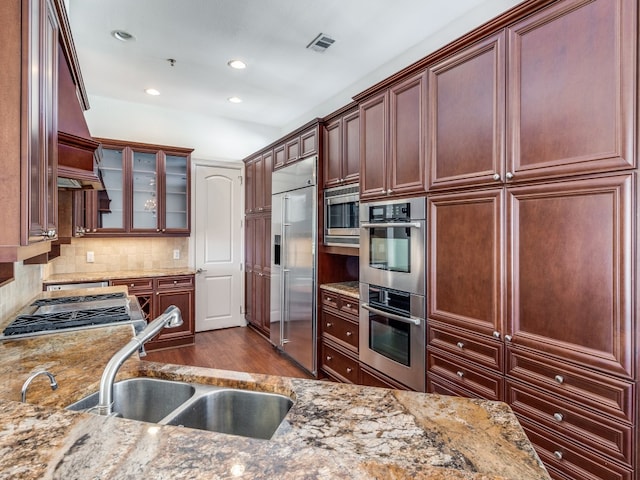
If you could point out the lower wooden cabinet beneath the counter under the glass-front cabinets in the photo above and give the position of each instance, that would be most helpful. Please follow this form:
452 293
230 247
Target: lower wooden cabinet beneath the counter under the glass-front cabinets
155 295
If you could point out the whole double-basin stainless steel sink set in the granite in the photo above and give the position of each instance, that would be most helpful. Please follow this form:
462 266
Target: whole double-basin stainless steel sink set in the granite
205 407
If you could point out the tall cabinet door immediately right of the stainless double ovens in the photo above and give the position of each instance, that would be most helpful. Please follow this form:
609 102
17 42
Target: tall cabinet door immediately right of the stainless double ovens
467 260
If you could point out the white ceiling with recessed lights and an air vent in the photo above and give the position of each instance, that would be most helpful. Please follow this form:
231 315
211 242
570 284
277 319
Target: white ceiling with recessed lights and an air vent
283 80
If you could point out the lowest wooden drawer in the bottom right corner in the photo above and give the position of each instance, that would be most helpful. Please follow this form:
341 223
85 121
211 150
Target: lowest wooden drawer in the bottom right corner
570 460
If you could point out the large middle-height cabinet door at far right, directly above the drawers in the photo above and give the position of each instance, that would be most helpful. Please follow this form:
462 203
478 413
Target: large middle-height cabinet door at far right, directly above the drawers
571 266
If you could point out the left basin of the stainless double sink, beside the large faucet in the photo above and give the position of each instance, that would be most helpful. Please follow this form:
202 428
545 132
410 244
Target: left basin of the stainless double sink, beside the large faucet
144 399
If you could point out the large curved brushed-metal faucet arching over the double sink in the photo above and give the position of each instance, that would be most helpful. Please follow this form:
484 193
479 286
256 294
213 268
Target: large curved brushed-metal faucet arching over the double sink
170 318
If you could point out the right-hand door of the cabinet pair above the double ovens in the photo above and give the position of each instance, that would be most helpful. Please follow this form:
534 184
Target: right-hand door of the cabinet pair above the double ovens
406 137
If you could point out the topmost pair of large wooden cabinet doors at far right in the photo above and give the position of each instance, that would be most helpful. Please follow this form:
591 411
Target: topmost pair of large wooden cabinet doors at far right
538 65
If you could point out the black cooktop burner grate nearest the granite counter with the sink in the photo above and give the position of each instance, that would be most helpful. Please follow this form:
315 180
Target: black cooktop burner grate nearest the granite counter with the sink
63 320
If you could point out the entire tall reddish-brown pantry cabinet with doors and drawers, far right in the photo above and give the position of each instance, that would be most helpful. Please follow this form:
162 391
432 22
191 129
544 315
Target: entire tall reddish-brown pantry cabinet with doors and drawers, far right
532 153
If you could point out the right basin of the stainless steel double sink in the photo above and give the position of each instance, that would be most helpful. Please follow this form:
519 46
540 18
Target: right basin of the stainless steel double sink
236 412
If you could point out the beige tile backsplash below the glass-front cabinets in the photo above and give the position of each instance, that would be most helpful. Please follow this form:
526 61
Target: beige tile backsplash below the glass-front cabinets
114 254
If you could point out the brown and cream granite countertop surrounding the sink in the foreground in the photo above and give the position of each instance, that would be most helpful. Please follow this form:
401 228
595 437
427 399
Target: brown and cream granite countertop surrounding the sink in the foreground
333 431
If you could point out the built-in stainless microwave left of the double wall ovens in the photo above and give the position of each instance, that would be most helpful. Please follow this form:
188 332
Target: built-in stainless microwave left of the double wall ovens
341 216
